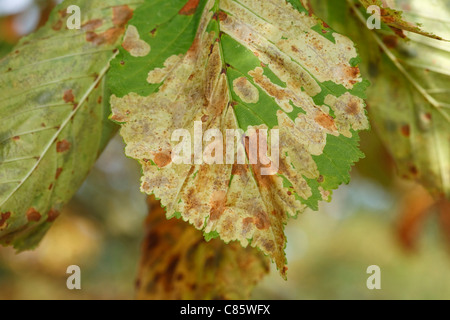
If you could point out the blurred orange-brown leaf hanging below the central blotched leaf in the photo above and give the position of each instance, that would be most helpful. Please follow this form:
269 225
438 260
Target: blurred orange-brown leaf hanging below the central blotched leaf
177 264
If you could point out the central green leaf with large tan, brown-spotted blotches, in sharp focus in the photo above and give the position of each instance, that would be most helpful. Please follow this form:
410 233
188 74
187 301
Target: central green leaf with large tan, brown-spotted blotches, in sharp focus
240 65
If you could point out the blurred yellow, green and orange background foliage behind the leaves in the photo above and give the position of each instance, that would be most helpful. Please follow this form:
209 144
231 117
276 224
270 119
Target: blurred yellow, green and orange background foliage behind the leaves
377 219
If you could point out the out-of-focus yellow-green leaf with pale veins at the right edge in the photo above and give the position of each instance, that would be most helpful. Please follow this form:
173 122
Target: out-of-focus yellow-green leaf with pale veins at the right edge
409 100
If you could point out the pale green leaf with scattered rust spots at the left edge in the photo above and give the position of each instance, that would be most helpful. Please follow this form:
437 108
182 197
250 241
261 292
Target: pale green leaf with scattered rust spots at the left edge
53 115
